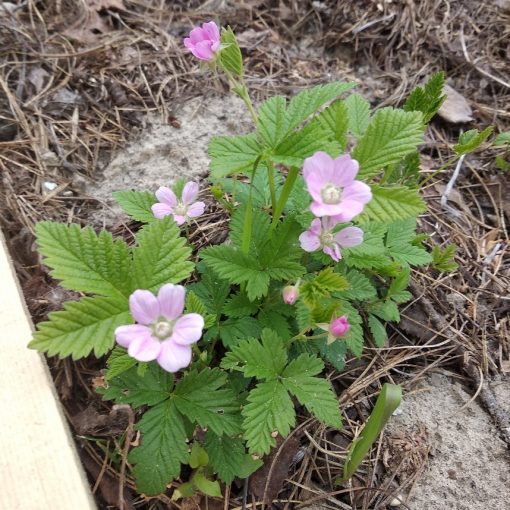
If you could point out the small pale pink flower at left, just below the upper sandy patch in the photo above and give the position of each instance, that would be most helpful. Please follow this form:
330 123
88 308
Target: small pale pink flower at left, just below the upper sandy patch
182 210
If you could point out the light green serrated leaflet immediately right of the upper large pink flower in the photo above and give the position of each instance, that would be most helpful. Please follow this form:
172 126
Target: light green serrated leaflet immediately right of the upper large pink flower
392 203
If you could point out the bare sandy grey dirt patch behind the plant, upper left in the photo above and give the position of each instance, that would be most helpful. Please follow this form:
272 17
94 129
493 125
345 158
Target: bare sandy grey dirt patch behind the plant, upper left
163 151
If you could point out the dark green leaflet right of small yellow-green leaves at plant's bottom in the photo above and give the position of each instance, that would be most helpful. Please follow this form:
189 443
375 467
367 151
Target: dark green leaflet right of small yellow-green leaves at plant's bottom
226 454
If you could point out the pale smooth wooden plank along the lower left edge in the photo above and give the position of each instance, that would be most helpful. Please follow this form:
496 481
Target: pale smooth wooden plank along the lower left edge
39 465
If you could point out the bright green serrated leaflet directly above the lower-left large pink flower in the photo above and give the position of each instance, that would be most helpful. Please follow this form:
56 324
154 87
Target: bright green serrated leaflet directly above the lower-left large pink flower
161 255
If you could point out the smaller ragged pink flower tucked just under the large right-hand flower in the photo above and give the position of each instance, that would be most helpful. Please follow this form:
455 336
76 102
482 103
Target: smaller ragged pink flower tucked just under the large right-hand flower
320 235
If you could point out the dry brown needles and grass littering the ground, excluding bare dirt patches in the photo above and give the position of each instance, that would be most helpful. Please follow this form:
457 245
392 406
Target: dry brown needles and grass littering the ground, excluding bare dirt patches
76 83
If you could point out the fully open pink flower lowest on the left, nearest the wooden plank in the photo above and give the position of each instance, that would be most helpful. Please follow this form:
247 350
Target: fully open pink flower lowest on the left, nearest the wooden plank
163 333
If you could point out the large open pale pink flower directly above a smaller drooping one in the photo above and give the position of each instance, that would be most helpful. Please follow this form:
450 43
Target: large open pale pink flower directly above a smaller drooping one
333 188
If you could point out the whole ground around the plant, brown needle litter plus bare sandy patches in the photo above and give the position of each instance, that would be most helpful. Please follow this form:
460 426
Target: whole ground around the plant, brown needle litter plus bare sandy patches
93 94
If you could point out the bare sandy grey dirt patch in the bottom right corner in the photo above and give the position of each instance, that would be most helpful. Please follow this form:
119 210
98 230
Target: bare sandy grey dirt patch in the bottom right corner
469 465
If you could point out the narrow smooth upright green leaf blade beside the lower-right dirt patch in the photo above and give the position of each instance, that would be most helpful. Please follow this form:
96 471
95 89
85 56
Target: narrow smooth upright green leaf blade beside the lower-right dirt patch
387 402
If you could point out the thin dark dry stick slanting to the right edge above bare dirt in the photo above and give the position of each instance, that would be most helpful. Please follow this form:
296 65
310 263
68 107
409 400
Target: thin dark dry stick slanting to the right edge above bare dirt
499 416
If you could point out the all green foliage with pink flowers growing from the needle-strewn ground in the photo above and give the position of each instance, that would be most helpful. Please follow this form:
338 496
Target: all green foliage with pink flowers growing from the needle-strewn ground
218 346
